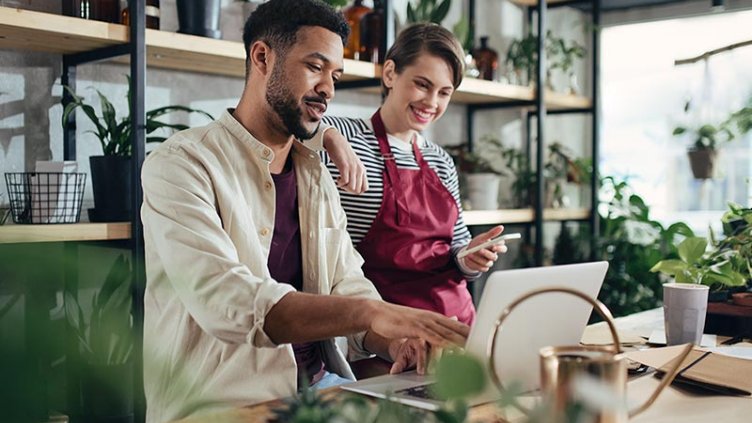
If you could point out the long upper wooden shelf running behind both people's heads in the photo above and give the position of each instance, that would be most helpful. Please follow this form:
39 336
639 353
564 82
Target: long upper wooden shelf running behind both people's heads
28 30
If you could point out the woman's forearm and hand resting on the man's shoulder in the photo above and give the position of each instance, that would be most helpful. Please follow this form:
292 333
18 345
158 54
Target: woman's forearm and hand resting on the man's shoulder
352 172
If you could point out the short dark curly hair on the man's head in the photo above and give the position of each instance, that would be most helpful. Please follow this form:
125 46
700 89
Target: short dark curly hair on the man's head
277 22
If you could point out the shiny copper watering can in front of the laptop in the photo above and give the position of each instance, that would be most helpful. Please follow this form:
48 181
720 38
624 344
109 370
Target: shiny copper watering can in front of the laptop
562 366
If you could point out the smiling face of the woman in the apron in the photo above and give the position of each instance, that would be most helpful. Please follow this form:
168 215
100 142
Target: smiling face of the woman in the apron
420 94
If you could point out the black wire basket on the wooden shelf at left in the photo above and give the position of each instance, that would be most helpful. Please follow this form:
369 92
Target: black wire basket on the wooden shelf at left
41 197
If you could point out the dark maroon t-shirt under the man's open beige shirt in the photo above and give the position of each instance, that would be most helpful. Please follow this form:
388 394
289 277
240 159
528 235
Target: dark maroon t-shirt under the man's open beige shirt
286 263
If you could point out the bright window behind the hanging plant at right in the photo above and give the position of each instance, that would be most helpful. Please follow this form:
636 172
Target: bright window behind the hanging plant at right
644 94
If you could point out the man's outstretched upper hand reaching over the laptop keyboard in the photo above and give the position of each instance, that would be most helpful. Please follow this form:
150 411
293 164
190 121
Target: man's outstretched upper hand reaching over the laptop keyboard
393 321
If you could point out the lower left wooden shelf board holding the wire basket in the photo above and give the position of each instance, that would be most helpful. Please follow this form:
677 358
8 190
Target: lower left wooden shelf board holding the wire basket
10 233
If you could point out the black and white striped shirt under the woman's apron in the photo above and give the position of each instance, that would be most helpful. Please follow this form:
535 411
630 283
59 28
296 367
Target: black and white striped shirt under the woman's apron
362 209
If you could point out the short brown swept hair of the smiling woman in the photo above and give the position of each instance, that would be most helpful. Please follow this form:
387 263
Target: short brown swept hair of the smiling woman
428 38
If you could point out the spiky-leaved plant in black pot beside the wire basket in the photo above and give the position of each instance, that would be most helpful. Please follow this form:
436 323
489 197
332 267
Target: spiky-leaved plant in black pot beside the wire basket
111 172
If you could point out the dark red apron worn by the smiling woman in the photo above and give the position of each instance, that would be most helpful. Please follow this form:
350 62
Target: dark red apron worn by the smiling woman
407 251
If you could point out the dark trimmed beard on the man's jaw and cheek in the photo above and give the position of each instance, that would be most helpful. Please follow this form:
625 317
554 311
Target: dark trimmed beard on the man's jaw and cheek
284 105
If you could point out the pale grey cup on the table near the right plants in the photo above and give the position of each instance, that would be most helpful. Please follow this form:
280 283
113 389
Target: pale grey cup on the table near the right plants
684 308
